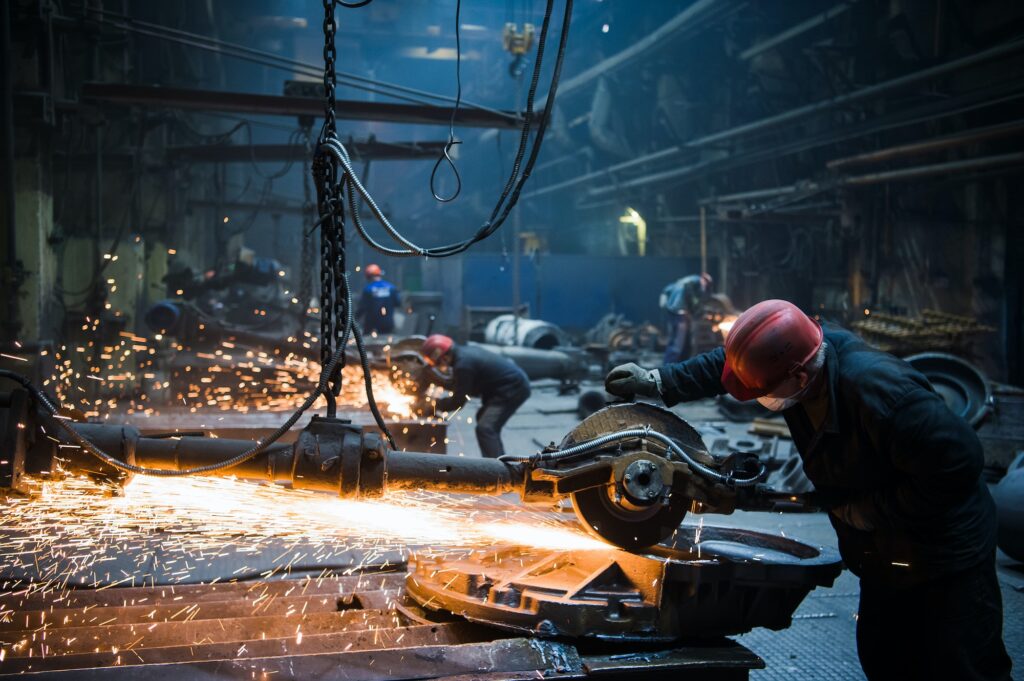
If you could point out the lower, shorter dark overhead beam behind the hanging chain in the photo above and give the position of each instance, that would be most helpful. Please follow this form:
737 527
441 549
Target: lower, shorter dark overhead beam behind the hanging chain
370 151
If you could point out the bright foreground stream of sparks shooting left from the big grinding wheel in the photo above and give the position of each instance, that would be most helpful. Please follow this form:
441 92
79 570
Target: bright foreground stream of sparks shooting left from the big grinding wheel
69 535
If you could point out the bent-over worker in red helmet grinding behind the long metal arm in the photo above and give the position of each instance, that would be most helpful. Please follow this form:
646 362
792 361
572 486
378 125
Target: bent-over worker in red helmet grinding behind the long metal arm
473 372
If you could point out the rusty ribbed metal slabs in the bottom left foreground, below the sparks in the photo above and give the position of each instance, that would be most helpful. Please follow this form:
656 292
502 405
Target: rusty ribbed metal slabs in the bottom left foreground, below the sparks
355 627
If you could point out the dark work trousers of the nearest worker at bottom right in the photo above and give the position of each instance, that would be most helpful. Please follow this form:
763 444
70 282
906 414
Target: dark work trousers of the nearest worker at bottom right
951 628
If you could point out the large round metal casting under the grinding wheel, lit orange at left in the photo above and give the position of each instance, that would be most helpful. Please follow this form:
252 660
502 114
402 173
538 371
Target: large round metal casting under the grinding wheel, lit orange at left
704 582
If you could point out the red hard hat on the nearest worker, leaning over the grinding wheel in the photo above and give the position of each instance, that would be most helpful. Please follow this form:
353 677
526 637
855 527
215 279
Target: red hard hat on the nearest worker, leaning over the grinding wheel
769 345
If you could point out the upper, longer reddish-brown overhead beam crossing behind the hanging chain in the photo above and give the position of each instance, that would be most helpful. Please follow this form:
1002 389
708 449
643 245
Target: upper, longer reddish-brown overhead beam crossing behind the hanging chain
273 105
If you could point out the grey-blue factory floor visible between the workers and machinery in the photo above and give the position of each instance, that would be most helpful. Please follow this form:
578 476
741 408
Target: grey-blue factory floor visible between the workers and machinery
822 643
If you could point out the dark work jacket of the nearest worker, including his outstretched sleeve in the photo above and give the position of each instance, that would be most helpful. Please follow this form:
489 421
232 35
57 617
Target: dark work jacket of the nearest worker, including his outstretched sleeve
890 458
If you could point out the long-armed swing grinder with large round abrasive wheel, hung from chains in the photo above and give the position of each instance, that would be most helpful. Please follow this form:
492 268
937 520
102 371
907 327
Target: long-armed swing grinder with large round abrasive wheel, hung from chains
632 471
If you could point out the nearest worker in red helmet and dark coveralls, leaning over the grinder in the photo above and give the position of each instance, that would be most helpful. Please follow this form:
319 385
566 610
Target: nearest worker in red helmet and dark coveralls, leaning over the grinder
899 473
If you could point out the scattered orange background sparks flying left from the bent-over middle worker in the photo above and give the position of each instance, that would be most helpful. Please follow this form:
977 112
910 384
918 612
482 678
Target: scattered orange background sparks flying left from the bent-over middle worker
124 376
